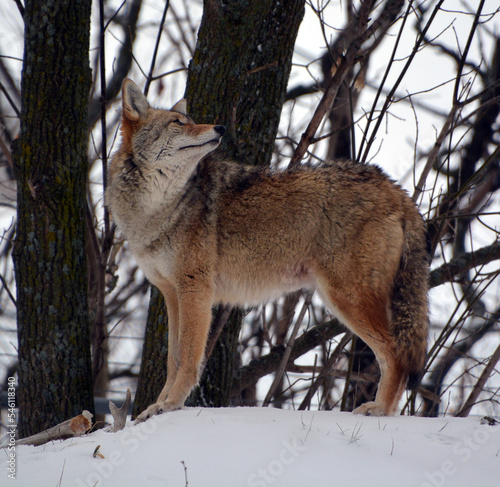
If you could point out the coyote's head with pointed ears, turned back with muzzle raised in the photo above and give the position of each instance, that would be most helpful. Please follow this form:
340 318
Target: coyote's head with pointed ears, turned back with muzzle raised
161 140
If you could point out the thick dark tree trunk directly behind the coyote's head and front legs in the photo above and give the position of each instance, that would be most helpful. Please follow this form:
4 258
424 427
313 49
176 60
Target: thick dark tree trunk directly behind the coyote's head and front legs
238 78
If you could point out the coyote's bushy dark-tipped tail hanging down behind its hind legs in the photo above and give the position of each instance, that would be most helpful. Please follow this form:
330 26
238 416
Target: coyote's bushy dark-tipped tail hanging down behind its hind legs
410 312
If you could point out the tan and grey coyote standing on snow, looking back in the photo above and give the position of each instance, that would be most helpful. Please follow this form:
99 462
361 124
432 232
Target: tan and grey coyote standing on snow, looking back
208 231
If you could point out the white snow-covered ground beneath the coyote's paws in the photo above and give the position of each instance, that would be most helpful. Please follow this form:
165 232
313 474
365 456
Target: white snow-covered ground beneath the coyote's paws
259 447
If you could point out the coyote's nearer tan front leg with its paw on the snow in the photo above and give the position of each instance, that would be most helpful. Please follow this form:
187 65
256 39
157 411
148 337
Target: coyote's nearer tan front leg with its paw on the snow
186 350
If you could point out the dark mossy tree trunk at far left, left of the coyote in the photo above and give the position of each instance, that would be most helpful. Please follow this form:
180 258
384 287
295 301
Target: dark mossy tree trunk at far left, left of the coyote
55 381
